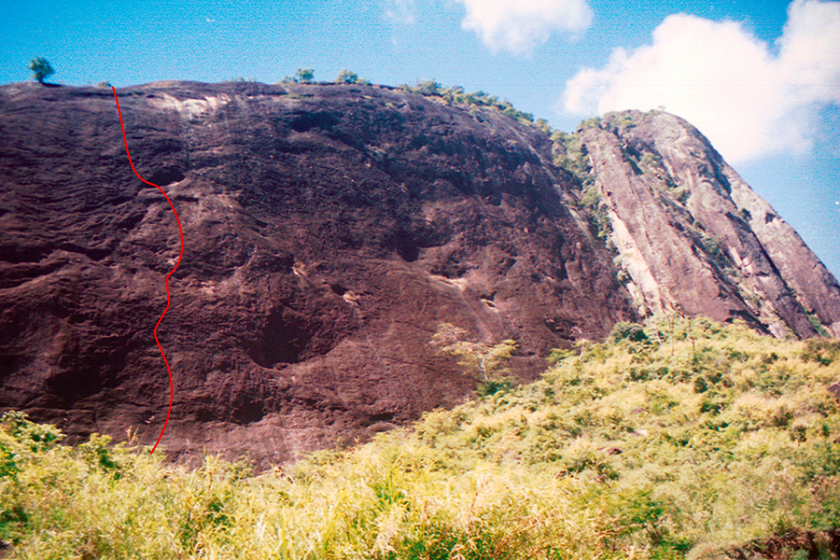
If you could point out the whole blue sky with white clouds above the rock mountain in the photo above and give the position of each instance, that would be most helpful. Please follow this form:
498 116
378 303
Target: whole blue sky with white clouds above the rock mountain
760 78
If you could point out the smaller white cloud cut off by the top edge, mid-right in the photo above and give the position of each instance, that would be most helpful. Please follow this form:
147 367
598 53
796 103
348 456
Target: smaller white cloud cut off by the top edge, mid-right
521 25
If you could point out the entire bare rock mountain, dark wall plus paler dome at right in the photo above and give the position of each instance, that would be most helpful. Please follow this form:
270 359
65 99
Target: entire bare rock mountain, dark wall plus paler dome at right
329 230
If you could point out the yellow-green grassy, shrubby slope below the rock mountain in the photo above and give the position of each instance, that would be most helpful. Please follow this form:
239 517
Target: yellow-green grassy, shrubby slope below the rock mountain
685 440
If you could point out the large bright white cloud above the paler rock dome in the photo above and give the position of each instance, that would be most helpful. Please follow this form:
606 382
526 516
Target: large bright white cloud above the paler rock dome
747 100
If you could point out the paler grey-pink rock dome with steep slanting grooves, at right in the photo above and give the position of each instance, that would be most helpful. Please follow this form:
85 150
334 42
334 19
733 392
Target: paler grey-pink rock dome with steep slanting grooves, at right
691 235
